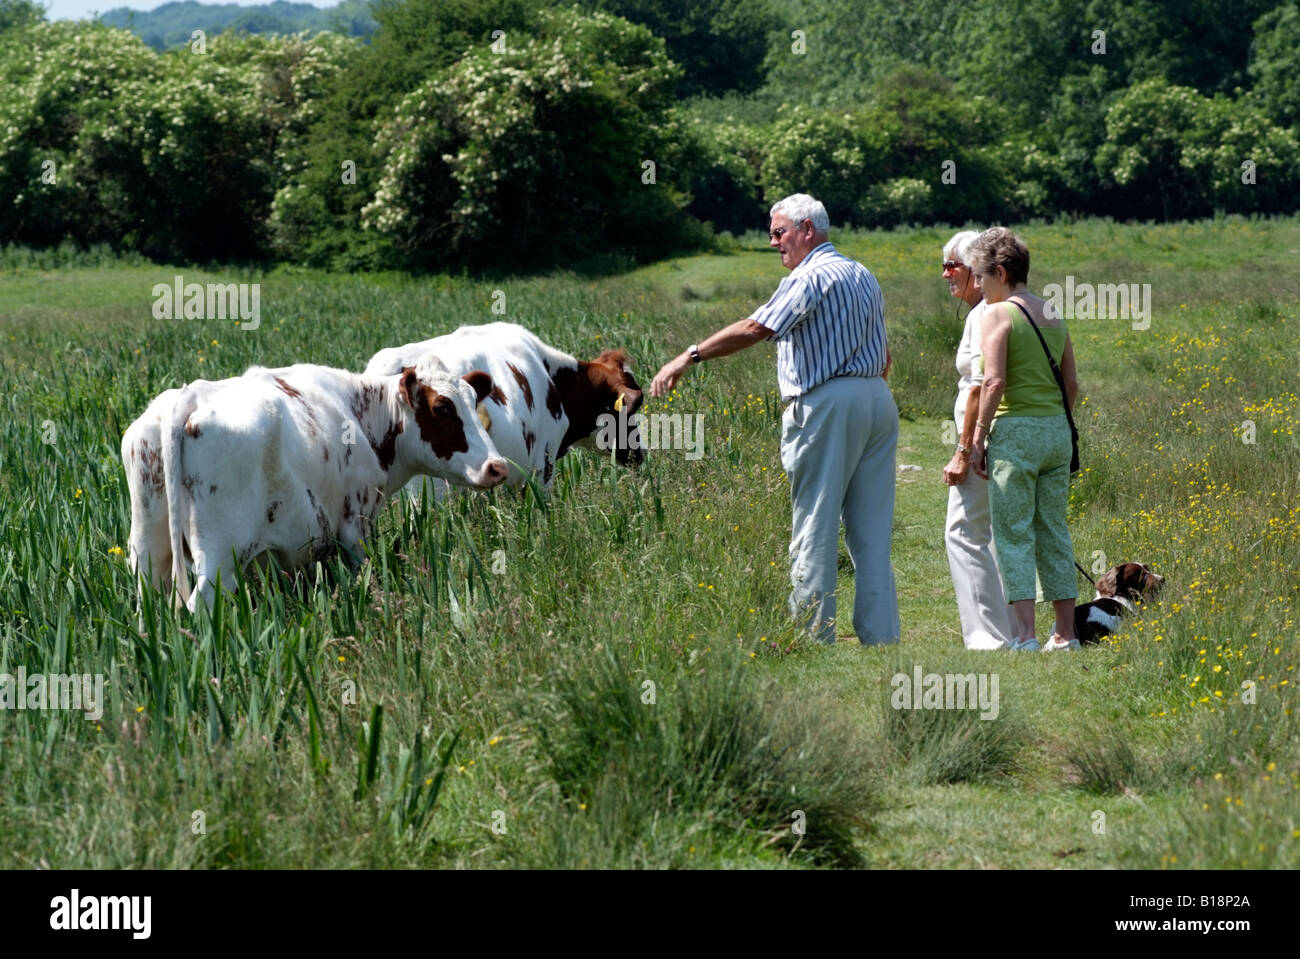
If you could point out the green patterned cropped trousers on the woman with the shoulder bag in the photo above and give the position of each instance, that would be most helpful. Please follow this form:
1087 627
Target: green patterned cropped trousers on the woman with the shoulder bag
1029 492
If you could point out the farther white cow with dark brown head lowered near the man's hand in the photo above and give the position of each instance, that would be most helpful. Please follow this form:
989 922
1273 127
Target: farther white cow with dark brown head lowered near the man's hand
544 401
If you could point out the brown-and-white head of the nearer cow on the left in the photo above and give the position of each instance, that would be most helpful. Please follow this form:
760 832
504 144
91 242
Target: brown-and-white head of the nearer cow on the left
450 440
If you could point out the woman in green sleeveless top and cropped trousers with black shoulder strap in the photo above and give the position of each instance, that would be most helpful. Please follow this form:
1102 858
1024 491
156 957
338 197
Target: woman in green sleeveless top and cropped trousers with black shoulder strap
1028 437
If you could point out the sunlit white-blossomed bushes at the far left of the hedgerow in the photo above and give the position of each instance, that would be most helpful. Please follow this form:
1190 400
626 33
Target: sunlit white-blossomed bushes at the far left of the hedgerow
174 155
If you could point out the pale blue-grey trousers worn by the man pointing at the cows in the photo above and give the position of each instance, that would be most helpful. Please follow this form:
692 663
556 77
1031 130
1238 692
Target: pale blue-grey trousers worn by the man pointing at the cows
838 448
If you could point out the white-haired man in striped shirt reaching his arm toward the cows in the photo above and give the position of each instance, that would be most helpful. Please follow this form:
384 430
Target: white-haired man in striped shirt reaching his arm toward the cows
842 426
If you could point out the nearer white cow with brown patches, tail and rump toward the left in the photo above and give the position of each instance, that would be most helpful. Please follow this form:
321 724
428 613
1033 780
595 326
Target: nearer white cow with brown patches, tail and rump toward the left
291 462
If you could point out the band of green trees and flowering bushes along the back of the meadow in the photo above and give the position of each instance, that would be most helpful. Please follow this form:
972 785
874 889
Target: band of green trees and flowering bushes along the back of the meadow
469 134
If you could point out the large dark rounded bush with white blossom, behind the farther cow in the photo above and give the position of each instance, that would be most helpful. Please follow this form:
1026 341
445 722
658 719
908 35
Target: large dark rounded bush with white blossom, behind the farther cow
497 158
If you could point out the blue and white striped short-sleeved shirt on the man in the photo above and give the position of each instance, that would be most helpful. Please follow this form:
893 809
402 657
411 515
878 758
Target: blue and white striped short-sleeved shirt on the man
829 320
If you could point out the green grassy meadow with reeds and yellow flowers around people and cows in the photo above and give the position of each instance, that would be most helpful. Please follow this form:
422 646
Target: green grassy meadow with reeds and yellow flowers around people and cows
627 692
